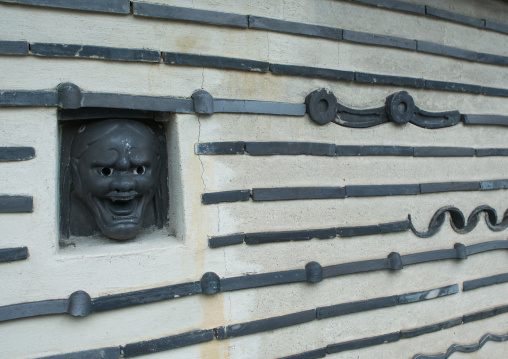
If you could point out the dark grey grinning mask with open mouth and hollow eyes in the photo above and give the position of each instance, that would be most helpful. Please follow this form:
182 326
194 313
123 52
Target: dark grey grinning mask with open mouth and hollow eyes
115 167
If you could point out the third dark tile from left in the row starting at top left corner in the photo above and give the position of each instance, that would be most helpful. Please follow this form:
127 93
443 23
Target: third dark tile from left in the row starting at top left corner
256 22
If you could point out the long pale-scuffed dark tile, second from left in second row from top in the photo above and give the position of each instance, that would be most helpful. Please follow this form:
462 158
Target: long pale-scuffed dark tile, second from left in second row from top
94 52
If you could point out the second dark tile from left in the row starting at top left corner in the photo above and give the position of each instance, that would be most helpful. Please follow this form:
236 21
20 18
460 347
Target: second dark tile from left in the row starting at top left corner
189 14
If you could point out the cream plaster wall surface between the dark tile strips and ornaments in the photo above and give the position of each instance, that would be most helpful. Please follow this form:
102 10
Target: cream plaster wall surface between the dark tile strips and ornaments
180 252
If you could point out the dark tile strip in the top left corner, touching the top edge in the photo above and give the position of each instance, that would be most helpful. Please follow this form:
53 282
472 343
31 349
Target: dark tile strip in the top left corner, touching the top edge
111 6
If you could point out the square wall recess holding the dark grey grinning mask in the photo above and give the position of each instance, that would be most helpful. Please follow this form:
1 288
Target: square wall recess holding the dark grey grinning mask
113 177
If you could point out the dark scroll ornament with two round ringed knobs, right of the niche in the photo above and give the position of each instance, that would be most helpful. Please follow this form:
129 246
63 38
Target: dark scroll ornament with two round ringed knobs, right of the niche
322 106
